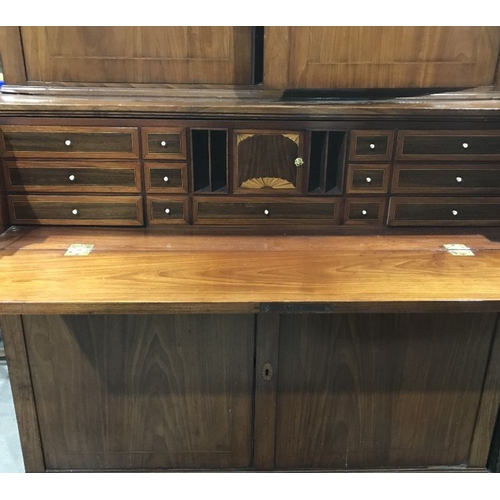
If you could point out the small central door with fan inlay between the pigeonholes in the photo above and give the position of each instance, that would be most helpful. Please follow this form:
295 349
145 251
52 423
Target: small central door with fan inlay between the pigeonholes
268 162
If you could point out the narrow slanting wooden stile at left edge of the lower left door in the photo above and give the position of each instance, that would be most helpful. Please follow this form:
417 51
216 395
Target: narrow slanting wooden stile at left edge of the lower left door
24 401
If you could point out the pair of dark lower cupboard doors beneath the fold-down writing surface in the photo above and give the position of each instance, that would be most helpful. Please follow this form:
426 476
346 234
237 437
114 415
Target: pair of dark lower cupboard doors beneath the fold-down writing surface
341 391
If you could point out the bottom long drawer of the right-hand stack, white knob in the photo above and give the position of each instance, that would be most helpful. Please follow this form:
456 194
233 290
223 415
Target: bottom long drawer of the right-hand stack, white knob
444 212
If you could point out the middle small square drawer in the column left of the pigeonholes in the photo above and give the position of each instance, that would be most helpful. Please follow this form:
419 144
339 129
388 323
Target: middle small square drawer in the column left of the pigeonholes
166 177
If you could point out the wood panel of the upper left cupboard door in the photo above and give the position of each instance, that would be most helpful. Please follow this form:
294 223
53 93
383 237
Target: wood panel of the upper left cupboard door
134 54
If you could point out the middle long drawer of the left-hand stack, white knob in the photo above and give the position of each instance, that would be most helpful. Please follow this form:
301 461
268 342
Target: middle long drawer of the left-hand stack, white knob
72 176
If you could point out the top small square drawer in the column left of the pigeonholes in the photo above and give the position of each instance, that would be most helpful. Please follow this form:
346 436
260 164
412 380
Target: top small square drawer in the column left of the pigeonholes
164 143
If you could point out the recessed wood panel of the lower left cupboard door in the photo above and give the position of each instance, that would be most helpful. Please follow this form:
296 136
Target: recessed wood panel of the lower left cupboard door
143 392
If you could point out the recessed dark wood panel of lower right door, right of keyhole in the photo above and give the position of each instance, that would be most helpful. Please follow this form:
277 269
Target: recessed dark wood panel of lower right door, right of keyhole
379 390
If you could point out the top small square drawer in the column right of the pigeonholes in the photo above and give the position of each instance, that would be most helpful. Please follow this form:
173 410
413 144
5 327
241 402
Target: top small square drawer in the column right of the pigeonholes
372 145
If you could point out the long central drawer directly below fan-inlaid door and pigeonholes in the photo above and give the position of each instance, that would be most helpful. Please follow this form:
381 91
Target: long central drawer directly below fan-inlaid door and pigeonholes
264 211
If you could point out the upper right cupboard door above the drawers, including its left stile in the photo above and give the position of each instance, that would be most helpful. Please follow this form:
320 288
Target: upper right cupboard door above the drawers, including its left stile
380 56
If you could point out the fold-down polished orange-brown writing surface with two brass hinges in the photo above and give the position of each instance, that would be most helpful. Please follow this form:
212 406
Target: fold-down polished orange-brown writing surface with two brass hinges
144 271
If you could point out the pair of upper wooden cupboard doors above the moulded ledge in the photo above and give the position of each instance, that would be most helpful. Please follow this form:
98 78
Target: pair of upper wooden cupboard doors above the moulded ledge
277 57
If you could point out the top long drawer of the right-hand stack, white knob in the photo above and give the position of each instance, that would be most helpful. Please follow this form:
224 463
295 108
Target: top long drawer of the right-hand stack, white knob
453 145
